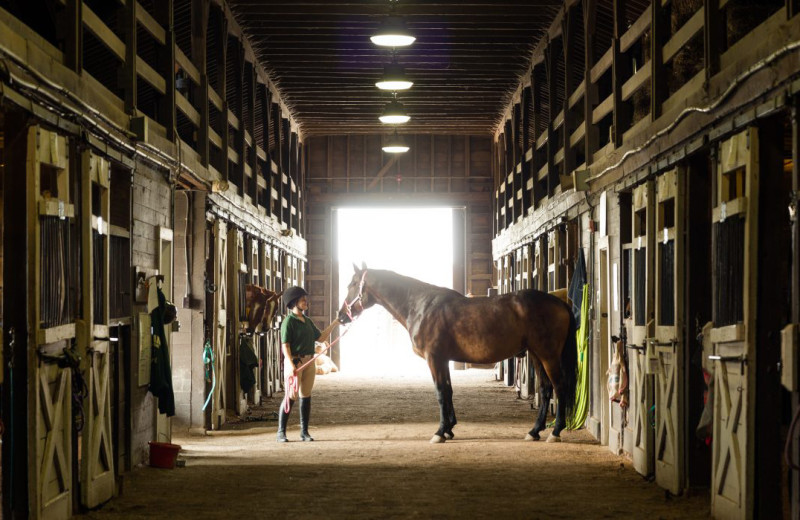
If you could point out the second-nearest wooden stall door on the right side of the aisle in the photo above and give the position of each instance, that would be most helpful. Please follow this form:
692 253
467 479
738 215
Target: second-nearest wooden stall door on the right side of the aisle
667 345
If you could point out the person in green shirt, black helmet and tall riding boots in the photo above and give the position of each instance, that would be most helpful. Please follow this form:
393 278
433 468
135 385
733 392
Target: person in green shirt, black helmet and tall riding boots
298 335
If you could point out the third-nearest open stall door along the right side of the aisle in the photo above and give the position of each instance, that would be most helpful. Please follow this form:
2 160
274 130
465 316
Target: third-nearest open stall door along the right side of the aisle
640 324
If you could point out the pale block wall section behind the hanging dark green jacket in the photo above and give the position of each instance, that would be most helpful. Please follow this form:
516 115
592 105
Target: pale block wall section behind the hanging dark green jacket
152 207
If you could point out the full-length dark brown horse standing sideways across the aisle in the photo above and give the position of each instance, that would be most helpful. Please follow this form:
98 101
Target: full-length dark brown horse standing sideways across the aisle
446 326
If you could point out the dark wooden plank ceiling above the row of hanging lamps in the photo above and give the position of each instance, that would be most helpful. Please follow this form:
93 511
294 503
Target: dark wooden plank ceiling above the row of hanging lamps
466 63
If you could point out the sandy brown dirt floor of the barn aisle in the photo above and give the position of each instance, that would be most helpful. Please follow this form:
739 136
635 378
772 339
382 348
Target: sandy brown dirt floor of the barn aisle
372 459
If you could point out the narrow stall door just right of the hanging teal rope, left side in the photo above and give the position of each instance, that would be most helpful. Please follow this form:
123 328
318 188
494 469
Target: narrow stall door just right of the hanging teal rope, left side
219 324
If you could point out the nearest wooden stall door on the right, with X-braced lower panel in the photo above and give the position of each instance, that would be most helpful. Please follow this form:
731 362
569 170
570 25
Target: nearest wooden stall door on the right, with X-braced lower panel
734 245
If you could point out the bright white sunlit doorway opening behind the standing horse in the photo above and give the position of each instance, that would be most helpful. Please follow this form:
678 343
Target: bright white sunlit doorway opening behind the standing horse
416 242
